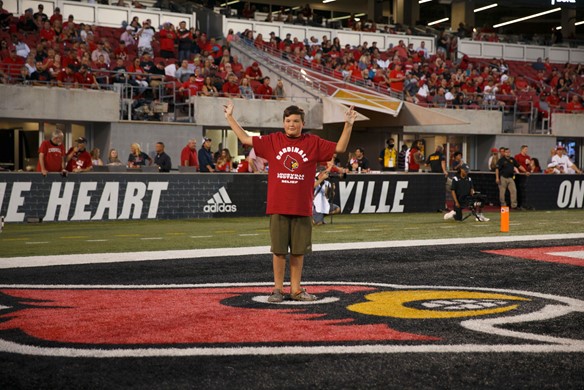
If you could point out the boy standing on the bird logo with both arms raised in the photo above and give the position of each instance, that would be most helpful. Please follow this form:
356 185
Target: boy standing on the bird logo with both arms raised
292 158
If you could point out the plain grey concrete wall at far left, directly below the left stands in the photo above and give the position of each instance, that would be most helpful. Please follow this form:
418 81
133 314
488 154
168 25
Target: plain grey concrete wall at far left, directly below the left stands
58 104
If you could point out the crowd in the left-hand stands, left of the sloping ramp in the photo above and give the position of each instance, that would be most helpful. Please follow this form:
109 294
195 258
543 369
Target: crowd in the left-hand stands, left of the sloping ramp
80 55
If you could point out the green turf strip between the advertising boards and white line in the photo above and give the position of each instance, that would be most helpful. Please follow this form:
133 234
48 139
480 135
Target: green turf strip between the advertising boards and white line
126 236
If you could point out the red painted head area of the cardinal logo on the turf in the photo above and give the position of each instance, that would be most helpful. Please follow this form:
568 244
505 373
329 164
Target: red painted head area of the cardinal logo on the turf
181 316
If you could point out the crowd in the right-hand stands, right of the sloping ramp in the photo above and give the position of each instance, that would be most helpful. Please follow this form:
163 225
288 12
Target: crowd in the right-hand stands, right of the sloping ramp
439 80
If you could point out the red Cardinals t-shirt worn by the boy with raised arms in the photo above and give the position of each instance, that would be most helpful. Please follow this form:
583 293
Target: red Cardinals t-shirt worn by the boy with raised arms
292 163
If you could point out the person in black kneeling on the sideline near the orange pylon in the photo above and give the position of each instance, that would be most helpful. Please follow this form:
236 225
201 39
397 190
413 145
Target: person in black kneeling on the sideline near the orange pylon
462 193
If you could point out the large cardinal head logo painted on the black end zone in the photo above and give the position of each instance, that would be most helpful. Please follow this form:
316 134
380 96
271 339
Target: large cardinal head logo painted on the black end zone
223 319
